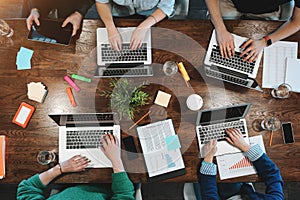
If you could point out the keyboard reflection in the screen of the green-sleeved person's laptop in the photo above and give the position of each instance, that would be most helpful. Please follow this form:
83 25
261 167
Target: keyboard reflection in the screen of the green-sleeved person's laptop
91 117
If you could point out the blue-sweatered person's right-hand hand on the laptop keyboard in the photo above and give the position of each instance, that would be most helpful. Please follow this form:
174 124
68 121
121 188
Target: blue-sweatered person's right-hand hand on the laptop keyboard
236 139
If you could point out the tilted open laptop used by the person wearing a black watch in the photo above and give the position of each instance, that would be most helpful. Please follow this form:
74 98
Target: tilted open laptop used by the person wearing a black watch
234 69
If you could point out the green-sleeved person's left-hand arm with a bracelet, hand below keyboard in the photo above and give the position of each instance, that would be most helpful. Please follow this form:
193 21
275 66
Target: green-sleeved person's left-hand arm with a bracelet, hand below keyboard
33 187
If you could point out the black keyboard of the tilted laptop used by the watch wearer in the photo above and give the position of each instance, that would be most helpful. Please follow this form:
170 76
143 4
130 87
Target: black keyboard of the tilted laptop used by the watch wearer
235 62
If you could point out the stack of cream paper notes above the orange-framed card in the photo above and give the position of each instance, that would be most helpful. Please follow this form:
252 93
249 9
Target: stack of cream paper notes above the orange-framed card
37 91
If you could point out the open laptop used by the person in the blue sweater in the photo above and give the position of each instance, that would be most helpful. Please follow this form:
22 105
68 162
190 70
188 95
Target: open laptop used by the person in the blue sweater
211 124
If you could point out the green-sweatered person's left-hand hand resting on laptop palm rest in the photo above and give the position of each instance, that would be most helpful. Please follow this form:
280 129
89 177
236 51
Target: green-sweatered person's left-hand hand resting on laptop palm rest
75 164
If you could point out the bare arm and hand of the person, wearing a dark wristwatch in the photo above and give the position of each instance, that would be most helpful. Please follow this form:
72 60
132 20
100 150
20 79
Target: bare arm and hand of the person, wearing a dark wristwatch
254 47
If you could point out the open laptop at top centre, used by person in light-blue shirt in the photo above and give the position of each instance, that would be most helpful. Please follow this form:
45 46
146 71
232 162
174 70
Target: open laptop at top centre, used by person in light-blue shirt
124 63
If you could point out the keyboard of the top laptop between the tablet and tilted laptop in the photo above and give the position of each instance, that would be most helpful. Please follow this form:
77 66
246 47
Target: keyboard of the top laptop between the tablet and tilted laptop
126 54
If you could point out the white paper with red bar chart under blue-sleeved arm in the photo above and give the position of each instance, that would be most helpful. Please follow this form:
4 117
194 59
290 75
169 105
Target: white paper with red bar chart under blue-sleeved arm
236 165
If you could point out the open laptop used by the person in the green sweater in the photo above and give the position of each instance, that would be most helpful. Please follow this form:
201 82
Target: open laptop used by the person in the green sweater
80 134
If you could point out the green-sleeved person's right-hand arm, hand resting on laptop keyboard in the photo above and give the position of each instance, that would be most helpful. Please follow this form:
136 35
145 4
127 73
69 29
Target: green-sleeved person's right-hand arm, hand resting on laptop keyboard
122 187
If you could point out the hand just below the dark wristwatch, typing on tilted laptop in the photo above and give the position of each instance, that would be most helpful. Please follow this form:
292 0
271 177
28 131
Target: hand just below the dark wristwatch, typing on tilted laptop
252 48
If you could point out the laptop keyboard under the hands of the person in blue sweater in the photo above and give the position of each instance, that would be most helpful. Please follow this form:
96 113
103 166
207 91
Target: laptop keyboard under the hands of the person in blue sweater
217 131
